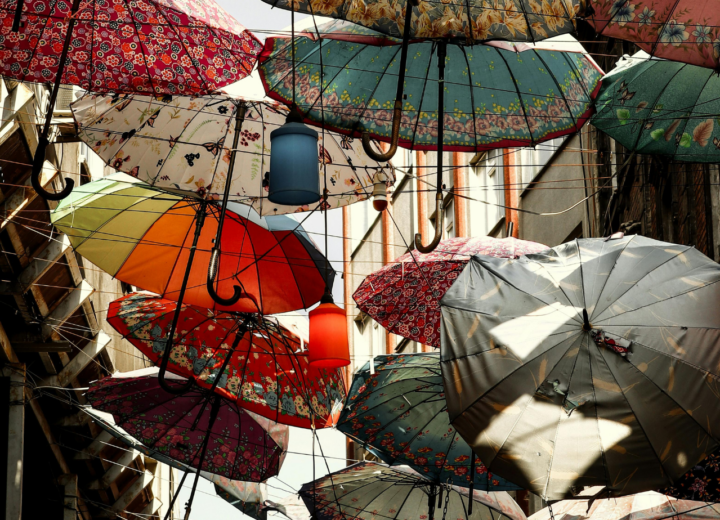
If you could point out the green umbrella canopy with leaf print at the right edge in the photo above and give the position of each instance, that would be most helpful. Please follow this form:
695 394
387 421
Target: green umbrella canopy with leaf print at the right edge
661 107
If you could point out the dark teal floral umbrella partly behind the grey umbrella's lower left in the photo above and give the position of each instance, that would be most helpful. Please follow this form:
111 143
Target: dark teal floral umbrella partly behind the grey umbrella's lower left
397 412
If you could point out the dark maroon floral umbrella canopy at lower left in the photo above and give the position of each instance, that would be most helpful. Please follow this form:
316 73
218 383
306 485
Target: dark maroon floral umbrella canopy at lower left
242 446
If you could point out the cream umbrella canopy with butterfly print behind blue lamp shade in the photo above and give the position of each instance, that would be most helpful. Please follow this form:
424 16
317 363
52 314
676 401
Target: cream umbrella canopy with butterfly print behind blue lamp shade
185 144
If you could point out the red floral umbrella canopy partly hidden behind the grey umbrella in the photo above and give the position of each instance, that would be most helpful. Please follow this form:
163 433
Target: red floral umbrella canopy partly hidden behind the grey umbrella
404 296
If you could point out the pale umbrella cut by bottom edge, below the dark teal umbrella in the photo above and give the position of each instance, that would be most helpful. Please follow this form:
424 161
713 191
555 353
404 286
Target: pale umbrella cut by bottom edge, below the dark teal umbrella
367 490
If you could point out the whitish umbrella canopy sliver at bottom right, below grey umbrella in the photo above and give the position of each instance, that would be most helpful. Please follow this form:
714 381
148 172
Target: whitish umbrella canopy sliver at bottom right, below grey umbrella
643 506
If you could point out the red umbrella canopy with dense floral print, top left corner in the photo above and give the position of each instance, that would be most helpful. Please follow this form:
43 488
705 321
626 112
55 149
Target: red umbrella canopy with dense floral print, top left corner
149 46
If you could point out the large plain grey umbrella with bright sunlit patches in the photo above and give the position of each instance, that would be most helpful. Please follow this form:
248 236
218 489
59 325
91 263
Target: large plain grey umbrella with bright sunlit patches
591 364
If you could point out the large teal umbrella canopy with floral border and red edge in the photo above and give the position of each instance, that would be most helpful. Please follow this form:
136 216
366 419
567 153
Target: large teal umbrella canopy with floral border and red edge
550 92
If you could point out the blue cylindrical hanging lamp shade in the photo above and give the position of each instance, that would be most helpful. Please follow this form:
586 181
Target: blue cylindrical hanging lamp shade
294 166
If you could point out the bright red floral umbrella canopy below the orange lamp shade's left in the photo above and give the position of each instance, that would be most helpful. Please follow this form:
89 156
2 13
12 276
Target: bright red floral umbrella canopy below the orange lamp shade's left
265 375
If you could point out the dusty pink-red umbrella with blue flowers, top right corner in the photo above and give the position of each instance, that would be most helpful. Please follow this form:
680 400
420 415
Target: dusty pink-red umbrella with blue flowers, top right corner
679 30
